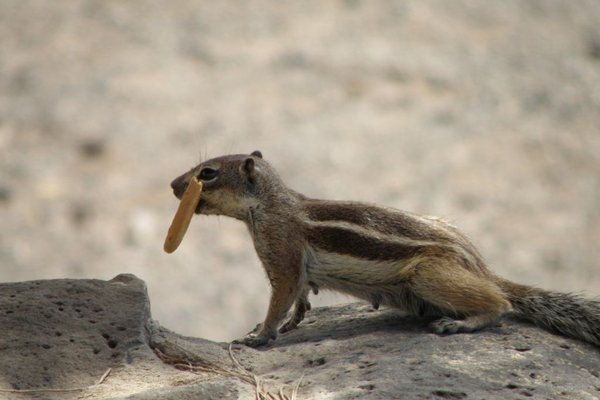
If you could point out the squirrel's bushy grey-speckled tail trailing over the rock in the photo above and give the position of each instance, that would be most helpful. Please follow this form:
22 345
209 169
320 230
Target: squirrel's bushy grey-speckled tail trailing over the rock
564 313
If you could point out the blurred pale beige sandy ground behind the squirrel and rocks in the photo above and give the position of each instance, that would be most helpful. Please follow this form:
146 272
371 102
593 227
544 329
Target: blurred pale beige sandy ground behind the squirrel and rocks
484 113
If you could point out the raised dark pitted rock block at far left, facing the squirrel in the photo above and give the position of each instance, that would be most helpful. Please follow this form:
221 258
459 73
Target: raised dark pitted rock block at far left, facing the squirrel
63 333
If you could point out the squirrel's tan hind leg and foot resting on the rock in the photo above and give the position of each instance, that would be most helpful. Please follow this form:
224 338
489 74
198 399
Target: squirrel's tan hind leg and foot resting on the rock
469 302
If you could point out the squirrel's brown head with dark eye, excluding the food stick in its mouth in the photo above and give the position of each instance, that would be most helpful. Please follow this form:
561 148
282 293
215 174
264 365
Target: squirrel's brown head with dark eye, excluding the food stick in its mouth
231 184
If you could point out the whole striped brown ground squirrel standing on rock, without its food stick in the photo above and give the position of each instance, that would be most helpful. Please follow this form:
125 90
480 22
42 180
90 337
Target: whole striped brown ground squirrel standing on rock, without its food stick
422 265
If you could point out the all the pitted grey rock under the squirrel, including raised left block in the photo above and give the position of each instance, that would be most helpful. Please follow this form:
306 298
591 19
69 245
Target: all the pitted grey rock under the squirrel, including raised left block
59 337
